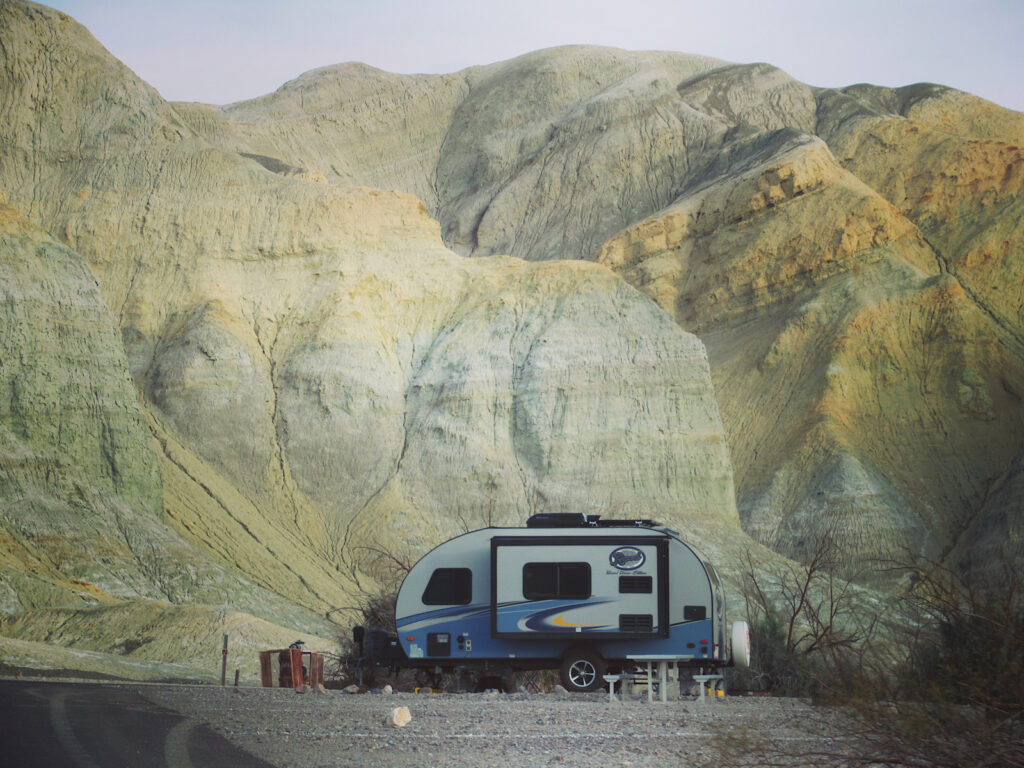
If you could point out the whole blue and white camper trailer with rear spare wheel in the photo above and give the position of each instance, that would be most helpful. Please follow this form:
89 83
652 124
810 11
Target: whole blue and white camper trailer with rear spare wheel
570 591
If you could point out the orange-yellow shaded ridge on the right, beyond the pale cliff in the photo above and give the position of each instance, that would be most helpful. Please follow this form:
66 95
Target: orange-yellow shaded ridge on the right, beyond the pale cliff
863 316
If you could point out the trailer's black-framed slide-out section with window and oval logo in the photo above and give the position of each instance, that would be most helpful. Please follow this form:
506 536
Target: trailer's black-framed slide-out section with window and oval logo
599 587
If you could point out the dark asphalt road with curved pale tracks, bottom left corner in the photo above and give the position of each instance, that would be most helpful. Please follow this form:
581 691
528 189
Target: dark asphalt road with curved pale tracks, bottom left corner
89 726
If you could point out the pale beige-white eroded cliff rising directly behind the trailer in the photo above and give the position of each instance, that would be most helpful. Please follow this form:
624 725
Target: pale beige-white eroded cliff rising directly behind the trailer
321 382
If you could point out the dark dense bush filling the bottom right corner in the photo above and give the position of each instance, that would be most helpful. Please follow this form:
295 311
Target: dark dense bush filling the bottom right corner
959 698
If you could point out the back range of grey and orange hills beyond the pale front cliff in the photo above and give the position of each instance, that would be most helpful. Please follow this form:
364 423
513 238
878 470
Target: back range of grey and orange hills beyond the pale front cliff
850 258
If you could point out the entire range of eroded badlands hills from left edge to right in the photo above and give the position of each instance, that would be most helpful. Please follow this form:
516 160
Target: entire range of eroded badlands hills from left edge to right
253 355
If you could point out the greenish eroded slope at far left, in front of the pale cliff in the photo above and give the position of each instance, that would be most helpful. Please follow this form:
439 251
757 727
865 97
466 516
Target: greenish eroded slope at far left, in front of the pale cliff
84 520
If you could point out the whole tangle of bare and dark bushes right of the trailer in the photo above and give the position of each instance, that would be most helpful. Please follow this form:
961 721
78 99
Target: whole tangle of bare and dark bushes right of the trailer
943 688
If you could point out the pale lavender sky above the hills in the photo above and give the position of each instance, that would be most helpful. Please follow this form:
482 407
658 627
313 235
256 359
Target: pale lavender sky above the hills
221 52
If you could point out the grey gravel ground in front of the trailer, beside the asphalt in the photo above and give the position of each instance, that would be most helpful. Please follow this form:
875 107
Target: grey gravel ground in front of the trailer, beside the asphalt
478 731
